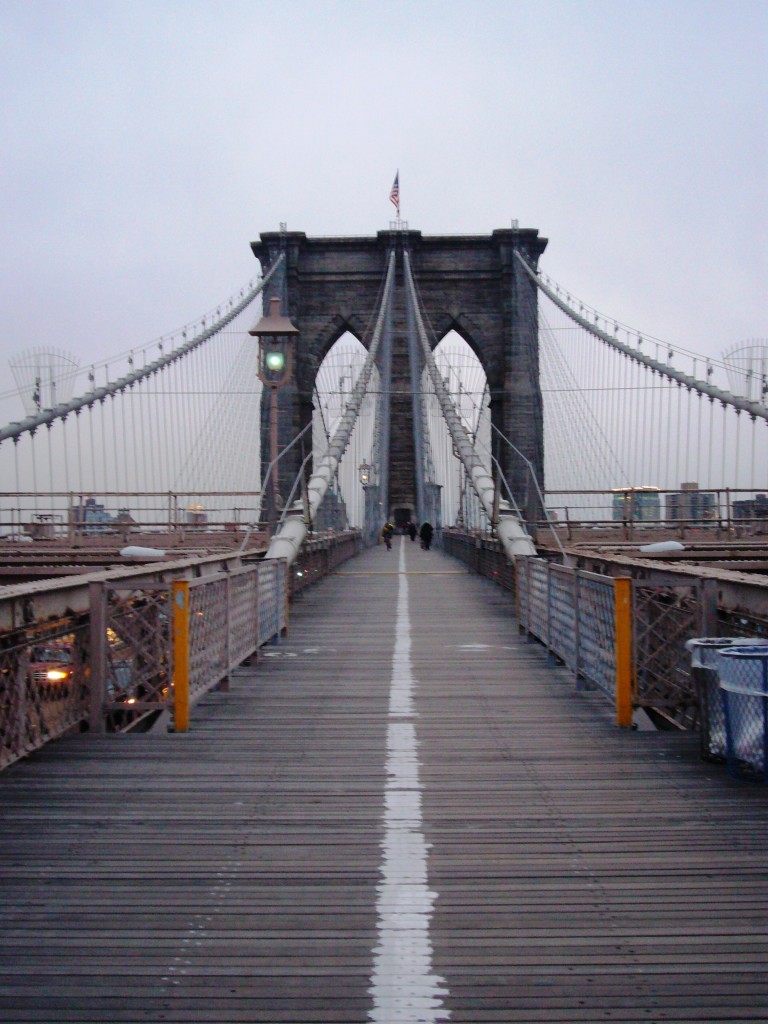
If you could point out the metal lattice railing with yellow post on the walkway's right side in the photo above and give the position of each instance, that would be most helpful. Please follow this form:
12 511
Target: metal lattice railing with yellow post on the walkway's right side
576 615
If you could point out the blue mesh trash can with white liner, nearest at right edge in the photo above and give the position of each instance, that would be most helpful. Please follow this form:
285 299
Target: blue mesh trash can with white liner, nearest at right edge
744 685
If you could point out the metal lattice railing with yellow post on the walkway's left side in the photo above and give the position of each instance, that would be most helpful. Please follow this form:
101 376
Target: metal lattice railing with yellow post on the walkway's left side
111 652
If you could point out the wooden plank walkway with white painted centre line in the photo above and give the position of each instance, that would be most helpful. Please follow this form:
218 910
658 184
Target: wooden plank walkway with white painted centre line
404 815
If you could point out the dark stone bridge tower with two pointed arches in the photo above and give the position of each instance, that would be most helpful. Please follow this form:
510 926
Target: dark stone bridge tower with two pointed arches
468 284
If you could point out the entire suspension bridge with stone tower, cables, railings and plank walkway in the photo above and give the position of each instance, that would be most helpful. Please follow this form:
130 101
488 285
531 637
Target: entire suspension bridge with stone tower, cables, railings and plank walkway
260 767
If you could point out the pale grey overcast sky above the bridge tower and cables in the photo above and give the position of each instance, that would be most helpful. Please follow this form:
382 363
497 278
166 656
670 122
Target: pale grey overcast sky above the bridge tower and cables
146 145
